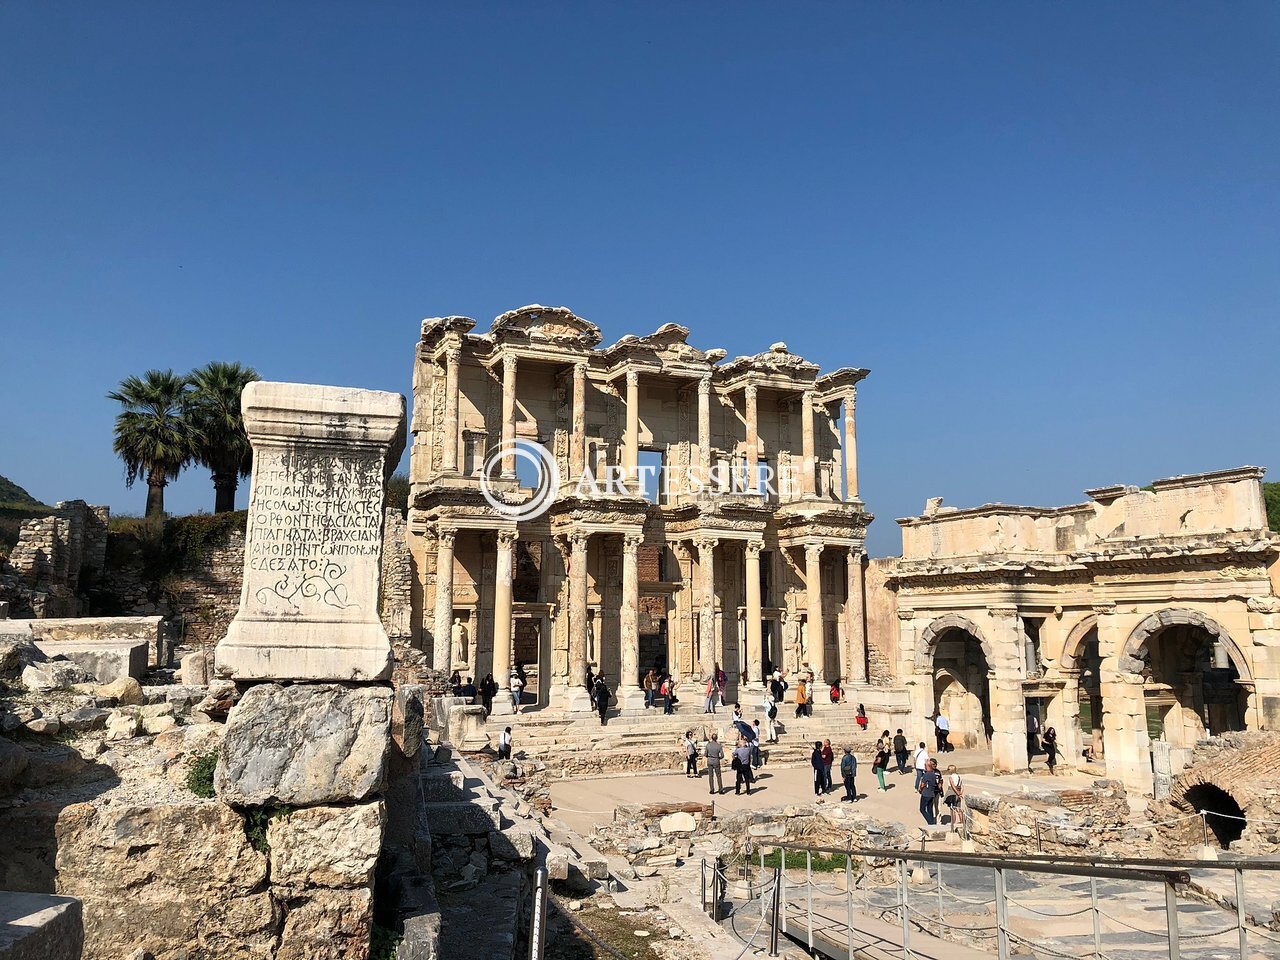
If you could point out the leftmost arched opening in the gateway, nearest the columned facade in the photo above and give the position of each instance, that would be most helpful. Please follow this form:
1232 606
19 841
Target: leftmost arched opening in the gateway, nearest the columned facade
962 687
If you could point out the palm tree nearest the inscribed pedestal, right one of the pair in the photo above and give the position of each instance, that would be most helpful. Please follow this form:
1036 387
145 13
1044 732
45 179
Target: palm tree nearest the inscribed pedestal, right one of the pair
216 412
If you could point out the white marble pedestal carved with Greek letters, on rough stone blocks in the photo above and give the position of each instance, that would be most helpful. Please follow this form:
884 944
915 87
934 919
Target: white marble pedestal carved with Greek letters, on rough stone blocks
310 601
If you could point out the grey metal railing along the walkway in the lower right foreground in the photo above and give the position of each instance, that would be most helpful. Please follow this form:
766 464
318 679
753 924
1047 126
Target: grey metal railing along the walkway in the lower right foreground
781 908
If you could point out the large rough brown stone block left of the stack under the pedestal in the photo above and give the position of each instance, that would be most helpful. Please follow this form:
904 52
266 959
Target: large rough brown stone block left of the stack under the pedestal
163 877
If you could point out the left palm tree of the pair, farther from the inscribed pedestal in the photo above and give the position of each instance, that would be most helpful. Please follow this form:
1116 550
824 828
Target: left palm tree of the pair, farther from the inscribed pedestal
154 436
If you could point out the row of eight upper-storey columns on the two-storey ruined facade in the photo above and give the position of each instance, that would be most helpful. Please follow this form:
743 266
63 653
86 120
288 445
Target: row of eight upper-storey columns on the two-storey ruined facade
632 440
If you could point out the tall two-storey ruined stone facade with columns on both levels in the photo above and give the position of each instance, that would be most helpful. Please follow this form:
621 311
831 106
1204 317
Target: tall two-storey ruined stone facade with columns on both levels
744 568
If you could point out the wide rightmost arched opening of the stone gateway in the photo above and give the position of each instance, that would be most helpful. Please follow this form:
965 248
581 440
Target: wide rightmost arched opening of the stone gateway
1194 674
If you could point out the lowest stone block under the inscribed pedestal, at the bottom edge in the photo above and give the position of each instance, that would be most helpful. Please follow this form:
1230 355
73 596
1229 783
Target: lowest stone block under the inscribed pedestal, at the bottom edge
326 925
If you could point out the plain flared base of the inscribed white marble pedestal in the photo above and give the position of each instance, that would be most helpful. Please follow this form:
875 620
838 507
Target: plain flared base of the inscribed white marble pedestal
304 651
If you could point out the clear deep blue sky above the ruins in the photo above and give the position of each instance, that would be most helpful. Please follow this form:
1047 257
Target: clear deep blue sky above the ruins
1052 231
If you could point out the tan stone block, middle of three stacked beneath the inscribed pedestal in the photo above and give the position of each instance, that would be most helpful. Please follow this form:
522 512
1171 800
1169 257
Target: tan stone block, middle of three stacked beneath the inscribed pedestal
327 847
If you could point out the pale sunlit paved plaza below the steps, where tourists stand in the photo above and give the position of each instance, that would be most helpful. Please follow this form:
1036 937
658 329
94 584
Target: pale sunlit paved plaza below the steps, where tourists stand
583 804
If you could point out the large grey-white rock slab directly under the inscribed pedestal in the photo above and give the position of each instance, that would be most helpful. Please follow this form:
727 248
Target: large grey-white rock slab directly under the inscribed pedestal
304 746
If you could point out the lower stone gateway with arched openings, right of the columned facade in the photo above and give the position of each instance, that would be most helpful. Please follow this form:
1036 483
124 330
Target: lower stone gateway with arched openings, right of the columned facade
1072 610
